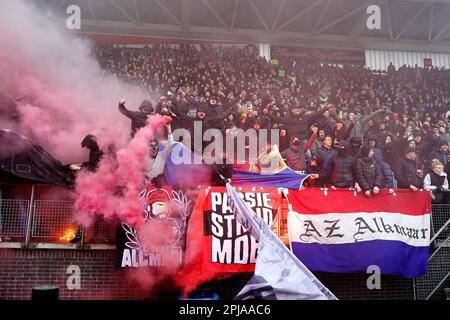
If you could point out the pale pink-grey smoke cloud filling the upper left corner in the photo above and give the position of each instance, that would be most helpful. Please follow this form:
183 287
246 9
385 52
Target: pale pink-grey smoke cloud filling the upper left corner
61 91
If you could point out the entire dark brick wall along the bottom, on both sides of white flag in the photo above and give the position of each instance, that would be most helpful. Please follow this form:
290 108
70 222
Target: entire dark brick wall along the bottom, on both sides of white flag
22 269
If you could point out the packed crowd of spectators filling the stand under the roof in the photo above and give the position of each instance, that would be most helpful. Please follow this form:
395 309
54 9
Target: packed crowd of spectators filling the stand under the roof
346 125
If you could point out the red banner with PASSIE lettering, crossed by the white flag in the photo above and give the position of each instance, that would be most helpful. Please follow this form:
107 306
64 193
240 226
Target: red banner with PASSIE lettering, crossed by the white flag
226 246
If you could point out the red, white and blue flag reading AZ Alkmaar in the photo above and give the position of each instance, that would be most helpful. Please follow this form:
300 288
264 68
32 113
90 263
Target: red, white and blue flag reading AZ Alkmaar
340 232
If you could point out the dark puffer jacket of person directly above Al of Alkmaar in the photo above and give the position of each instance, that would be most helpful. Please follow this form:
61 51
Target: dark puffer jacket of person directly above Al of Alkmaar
368 173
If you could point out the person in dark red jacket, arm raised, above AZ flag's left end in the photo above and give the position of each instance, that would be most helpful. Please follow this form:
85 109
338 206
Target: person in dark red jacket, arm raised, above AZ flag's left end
295 155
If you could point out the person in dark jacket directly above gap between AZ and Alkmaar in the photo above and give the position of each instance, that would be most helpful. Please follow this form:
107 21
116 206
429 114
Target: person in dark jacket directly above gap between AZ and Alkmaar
341 167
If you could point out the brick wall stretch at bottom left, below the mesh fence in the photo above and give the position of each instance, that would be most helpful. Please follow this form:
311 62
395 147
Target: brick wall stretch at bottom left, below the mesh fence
23 269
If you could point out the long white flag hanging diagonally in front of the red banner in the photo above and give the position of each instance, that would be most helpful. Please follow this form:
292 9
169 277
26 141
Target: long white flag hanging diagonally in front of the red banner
279 275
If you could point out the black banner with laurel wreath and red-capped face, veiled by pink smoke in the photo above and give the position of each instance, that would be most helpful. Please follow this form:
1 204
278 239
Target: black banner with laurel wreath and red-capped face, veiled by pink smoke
159 241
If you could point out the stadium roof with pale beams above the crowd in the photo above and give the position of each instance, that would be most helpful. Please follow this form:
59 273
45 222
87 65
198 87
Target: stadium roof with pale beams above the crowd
405 24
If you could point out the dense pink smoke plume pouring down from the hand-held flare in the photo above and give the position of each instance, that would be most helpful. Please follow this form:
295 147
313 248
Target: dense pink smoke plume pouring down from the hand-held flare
113 190
